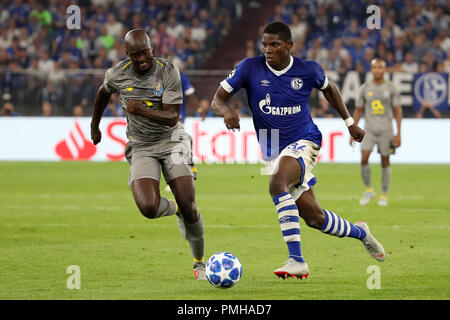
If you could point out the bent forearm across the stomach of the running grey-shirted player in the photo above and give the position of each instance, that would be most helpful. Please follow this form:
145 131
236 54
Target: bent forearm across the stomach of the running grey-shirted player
168 116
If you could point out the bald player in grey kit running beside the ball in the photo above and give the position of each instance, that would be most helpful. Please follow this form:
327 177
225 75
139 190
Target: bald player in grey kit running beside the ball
150 92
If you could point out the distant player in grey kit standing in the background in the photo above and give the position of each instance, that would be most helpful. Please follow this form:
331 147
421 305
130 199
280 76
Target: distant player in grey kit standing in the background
380 102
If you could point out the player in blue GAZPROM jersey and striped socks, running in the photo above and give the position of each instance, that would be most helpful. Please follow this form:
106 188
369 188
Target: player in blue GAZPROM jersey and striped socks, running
278 86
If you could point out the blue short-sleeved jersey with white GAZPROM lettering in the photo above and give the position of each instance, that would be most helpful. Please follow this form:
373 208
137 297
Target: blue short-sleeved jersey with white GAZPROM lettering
279 100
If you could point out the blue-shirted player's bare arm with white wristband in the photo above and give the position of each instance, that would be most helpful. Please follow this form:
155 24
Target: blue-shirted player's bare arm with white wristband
333 96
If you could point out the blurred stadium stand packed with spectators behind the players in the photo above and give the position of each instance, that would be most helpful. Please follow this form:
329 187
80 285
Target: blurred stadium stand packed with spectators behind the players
43 62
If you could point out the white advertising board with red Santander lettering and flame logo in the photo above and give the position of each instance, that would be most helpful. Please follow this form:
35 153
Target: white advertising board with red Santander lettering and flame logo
68 139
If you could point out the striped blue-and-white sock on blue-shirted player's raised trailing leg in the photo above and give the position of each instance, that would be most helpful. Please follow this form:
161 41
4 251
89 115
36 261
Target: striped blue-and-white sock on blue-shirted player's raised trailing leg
339 227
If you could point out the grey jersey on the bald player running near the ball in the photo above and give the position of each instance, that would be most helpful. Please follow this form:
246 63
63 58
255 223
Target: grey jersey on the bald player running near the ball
160 85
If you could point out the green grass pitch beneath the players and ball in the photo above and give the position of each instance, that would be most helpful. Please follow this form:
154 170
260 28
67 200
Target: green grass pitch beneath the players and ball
54 215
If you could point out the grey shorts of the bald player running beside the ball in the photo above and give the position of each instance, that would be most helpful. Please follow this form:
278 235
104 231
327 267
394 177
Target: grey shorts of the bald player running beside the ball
173 158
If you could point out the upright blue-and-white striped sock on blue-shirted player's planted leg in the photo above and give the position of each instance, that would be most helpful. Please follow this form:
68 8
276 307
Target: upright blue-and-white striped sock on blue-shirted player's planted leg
288 217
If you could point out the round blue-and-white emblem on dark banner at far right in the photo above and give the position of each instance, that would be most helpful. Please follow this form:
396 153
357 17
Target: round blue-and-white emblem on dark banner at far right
431 87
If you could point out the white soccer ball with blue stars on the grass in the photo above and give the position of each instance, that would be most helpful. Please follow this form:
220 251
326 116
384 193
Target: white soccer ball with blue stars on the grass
223 270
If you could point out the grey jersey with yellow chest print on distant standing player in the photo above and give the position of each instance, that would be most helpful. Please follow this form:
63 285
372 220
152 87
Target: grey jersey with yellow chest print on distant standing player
378 102
